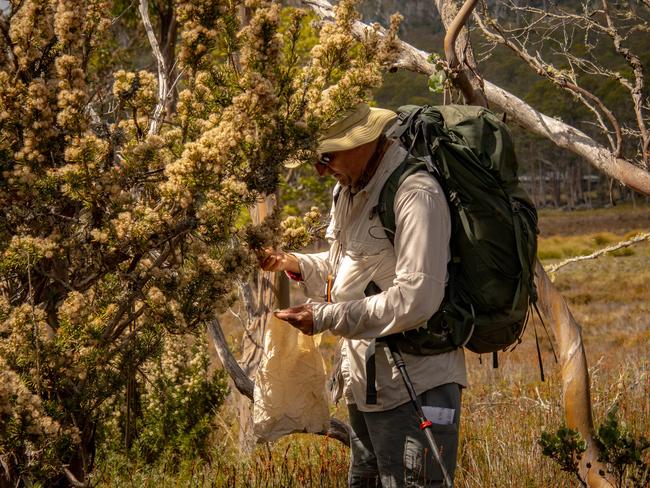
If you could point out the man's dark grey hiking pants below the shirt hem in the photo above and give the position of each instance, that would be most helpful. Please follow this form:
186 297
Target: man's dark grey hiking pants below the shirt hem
389 450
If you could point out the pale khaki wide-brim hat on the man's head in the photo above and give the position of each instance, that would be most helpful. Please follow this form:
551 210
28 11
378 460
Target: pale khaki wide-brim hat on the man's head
364 124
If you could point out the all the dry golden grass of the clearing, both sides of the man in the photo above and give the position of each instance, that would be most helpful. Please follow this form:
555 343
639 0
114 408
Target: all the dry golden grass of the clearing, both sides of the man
505 409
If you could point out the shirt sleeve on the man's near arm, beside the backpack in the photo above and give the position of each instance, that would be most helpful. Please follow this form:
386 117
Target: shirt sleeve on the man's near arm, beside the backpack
422 252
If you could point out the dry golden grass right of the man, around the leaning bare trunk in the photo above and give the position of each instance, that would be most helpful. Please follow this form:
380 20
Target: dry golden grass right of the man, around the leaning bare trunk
507 409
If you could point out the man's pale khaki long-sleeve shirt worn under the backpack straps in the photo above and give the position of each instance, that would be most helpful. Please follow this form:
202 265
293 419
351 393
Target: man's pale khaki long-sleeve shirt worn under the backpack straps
412 275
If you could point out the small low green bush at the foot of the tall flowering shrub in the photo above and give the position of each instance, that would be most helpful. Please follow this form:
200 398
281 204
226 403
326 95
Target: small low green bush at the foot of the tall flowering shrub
175 402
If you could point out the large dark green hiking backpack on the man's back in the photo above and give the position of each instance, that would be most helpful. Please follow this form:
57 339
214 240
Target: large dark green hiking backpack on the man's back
494 226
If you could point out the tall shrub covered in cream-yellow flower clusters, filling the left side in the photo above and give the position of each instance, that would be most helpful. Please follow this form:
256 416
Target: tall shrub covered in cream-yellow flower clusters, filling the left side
120 234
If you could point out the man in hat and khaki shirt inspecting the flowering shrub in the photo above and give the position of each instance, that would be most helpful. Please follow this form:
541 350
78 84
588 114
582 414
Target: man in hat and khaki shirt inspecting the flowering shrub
387 447
